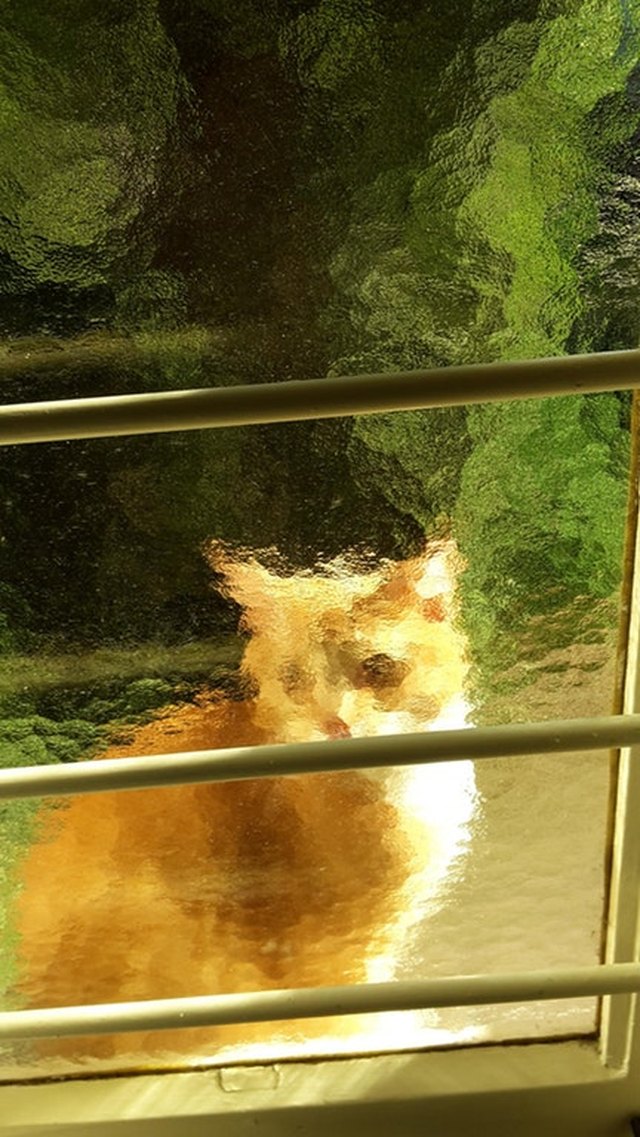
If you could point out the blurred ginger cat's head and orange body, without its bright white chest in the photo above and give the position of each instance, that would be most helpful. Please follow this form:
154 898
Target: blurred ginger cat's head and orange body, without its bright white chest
278 883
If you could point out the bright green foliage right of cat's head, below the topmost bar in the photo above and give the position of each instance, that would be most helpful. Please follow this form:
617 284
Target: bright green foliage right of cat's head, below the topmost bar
541 518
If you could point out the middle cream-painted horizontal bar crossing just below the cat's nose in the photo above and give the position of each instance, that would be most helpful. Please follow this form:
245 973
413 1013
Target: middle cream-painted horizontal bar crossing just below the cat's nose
556 736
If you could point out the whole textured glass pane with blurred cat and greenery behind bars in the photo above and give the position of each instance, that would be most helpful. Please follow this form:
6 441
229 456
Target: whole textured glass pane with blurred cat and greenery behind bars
203 194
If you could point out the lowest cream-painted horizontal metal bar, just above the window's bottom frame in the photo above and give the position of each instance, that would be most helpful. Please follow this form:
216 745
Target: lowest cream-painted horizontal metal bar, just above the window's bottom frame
320 1002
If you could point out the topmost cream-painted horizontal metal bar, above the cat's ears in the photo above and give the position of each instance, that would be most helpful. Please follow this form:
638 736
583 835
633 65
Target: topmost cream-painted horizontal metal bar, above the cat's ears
318 399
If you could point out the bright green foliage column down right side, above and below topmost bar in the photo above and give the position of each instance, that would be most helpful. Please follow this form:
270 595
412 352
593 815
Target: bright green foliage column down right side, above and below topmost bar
542 512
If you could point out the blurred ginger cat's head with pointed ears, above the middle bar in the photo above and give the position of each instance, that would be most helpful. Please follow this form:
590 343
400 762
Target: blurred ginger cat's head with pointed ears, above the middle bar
339 651
